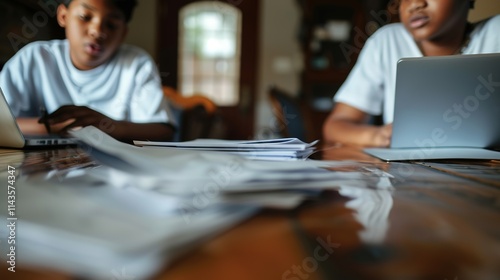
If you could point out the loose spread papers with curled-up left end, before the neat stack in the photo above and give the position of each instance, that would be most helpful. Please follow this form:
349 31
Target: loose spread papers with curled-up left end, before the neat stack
201 174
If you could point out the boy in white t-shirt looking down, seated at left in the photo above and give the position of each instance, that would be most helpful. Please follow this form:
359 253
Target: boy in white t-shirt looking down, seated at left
90 78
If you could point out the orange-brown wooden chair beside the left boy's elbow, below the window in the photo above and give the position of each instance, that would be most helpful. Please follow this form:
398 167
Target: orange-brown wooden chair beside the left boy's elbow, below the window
196 115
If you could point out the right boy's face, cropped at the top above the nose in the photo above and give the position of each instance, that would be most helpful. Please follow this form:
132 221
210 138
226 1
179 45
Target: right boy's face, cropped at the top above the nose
433 20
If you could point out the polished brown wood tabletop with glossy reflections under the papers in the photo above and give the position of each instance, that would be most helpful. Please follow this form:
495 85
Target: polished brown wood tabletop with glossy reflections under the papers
437 220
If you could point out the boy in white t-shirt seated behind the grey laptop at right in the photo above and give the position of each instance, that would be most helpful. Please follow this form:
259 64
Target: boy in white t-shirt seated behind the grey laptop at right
427 28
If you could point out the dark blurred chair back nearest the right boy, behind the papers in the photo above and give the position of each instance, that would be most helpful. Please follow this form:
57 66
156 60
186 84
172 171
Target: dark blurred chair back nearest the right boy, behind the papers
291 116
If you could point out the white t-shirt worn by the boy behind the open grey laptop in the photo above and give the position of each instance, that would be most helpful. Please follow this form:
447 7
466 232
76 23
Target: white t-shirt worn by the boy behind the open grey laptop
371 84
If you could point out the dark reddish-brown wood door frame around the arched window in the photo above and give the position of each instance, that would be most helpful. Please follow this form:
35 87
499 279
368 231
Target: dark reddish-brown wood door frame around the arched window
238 120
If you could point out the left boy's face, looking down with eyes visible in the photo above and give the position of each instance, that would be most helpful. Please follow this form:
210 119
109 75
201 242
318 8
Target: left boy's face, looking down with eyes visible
94 28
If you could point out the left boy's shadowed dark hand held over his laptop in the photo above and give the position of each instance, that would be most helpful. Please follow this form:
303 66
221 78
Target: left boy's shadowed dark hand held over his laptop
72 116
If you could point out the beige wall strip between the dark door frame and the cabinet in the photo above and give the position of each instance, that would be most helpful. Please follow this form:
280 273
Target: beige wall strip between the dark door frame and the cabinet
279 57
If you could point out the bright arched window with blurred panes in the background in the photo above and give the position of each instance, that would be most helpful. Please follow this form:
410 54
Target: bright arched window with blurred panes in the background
209 51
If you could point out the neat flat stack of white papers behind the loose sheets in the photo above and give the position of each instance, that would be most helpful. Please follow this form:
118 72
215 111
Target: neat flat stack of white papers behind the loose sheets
272 149
